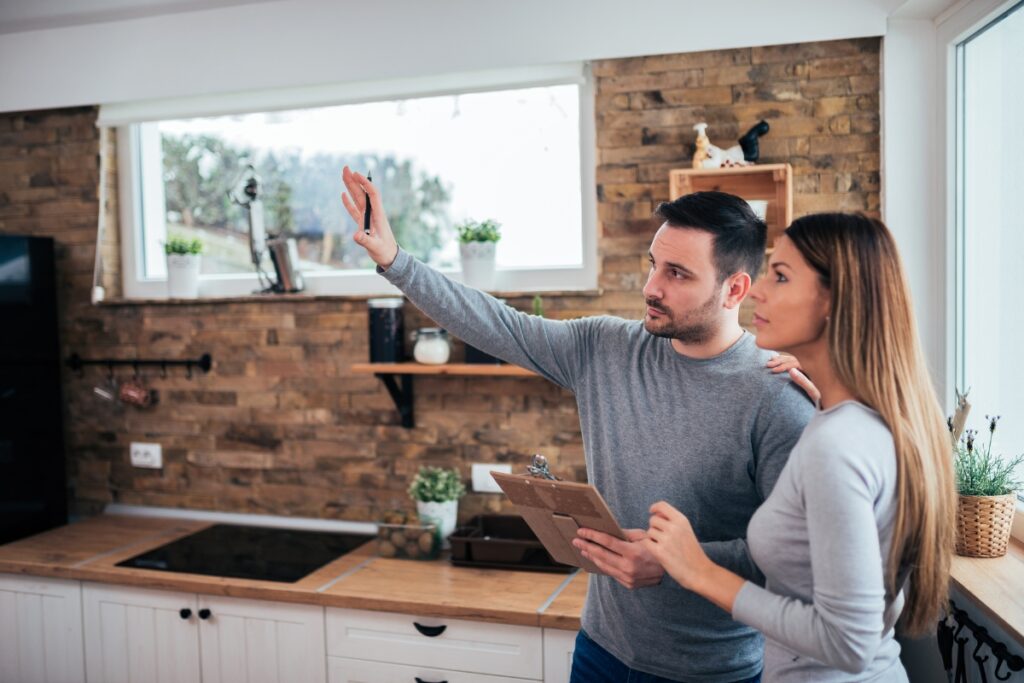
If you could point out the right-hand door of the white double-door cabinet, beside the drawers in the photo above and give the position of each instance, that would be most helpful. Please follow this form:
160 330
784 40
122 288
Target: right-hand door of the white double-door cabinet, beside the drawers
255 642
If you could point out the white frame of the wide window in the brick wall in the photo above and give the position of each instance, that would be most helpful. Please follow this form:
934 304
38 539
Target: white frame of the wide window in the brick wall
137 181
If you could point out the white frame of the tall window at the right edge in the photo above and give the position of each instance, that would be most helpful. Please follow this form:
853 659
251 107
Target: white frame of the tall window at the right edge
954 28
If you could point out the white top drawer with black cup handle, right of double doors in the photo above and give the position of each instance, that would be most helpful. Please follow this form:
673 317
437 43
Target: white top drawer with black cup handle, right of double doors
443 644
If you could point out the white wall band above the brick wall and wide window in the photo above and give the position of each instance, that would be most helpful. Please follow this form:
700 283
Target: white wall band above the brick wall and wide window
285 44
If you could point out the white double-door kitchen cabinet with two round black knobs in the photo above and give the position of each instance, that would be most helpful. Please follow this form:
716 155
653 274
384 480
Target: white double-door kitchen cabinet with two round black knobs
145 636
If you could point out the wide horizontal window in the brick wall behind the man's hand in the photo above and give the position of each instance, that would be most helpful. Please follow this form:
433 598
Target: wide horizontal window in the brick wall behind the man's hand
515 148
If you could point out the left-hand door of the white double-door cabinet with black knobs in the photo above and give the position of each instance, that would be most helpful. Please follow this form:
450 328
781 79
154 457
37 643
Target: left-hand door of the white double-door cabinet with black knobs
136 635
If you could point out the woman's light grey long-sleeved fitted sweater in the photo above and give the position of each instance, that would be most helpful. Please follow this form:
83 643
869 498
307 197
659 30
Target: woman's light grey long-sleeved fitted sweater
823 541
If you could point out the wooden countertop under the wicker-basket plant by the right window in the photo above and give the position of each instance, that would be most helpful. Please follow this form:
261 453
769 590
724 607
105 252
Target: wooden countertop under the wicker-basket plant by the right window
995 585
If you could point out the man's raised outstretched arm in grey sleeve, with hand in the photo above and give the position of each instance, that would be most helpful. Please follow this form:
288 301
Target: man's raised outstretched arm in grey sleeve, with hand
553 349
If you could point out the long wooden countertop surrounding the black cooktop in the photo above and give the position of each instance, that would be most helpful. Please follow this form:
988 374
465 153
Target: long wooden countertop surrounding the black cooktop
90 550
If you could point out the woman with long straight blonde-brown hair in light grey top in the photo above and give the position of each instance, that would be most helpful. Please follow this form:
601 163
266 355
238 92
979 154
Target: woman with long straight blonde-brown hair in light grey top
863 517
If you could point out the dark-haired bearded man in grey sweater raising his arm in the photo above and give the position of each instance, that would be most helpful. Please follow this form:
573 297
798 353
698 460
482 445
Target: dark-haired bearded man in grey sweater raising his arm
678 407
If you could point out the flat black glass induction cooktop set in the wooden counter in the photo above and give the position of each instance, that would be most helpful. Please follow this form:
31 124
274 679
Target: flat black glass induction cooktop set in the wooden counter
249 552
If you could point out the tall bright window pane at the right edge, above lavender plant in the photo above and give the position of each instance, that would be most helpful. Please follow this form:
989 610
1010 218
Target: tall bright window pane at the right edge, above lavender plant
991 226
